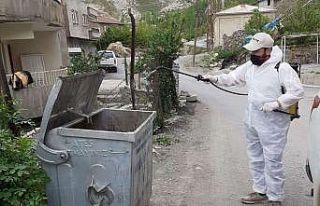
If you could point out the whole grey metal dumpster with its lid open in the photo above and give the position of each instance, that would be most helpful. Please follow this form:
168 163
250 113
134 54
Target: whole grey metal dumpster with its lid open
101 157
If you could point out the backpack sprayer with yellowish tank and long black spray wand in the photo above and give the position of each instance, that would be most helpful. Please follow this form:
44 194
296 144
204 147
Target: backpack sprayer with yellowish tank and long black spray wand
293 110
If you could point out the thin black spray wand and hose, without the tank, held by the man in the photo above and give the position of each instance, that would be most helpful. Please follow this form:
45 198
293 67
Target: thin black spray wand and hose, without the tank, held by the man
200 78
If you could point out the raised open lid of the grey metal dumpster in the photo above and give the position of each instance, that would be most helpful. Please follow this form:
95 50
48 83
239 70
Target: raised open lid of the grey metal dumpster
70 98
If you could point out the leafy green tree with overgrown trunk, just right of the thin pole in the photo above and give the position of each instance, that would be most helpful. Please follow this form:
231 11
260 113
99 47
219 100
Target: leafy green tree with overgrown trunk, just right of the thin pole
162 50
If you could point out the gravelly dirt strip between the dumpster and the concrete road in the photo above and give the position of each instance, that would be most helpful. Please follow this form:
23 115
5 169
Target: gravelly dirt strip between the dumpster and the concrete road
172 170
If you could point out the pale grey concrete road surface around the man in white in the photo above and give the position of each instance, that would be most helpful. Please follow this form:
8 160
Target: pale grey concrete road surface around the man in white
225 177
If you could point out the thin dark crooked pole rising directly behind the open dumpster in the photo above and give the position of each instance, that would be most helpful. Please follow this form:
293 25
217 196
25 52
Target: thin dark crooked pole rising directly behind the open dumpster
133 38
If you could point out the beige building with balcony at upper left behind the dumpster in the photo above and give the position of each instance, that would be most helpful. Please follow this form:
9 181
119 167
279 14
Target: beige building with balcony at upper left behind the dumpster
32 38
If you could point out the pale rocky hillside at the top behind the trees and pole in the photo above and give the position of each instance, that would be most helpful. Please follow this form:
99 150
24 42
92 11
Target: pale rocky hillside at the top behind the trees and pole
118 8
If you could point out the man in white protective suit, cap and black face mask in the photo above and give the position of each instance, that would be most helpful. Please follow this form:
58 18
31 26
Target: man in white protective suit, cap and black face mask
266 130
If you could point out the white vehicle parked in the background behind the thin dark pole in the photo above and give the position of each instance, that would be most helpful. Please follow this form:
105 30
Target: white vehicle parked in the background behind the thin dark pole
108 61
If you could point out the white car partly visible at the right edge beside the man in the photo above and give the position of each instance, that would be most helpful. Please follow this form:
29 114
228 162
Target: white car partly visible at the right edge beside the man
314 149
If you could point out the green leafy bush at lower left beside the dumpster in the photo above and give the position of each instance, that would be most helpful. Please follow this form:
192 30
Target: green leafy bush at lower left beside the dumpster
22 181
